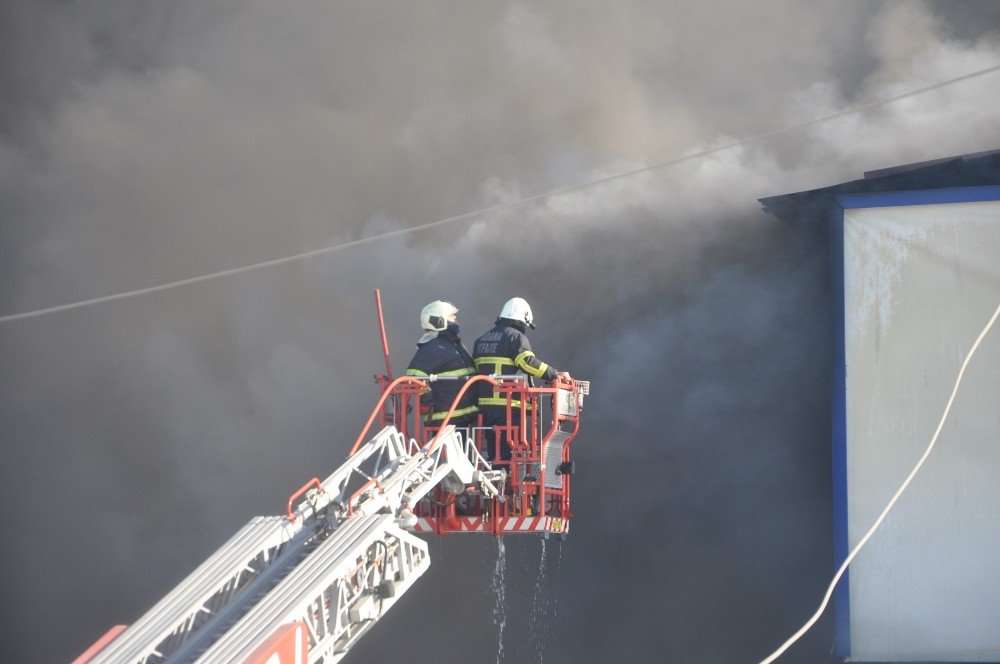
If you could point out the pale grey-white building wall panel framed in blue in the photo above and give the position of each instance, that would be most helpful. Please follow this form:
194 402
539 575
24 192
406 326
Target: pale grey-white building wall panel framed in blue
920 282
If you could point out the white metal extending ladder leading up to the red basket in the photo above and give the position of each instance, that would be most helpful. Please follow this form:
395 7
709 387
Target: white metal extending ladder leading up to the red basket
333 565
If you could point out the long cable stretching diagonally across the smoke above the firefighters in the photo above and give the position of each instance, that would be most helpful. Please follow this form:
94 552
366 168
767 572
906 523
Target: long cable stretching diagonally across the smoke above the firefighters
493 208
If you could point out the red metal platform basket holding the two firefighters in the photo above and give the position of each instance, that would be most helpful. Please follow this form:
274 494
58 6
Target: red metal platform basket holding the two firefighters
537 492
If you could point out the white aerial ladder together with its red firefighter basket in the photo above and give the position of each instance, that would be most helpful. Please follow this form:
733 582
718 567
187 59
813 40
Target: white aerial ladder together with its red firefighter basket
305 586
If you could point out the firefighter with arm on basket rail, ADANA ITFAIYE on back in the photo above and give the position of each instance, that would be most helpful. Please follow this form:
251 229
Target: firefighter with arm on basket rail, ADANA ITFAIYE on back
505 350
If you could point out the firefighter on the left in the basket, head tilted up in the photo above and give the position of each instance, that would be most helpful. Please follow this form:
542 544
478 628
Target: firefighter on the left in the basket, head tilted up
440 353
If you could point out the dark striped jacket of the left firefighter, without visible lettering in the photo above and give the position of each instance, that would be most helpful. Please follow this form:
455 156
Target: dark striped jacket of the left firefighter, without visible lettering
444 355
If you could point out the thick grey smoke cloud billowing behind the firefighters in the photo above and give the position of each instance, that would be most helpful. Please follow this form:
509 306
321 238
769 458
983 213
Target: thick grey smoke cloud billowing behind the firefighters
142 143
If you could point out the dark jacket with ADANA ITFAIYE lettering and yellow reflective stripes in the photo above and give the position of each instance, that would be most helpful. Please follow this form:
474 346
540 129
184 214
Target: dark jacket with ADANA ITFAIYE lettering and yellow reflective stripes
505 350
